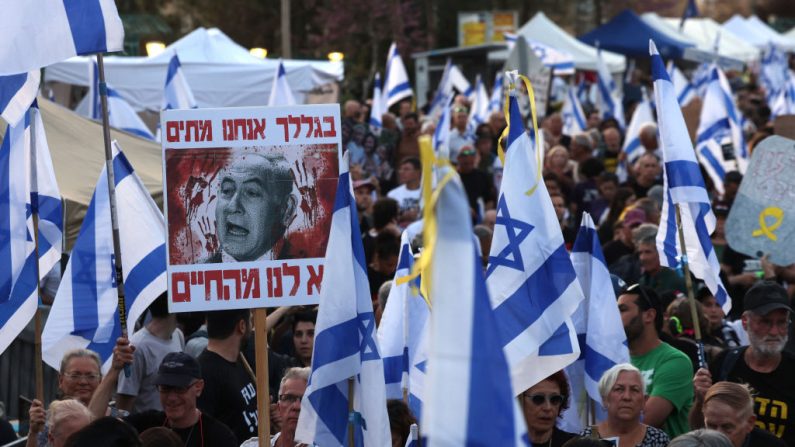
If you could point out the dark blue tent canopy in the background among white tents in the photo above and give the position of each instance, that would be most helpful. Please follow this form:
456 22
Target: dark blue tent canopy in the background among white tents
627 34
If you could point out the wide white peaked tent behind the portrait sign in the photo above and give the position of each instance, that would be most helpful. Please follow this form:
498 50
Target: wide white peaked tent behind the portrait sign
220 73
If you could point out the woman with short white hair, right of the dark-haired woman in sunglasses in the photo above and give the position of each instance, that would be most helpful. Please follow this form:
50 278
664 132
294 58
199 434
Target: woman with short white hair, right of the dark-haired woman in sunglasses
622 390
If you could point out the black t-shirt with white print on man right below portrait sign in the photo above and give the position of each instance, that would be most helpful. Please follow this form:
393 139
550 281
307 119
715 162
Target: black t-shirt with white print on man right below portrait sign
229 395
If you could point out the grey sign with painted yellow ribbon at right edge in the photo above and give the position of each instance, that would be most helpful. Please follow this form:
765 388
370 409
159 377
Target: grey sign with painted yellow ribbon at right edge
762 217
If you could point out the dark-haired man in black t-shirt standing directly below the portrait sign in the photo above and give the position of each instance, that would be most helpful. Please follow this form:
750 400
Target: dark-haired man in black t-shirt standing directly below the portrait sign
229 392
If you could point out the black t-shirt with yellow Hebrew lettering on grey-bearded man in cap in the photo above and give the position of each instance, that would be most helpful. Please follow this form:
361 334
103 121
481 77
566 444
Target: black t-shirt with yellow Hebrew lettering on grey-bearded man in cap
774 395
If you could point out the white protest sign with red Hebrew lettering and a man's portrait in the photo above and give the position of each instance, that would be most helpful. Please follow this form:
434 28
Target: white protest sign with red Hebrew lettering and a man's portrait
249 198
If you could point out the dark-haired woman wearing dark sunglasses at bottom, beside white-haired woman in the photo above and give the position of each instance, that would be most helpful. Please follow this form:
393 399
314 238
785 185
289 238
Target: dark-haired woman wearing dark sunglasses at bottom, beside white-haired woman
542 405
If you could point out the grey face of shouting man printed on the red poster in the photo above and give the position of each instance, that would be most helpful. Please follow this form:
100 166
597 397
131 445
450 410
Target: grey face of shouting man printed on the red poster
255 205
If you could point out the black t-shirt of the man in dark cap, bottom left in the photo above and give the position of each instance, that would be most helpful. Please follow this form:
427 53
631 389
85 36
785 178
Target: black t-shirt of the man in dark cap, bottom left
206 432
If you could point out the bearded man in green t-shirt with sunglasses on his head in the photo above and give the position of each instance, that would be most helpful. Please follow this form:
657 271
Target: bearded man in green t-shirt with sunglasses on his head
665 369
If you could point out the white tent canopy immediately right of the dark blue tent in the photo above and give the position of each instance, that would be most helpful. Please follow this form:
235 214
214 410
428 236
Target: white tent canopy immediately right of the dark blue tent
704 31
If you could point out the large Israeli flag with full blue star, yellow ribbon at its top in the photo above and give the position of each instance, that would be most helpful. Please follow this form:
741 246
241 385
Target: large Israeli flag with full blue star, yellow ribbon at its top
533 287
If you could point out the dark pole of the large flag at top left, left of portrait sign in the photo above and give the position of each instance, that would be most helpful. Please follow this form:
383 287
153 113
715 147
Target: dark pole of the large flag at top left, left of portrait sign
114 218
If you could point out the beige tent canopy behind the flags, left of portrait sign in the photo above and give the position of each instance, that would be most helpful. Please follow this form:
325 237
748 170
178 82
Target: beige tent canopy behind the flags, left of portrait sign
78 155
